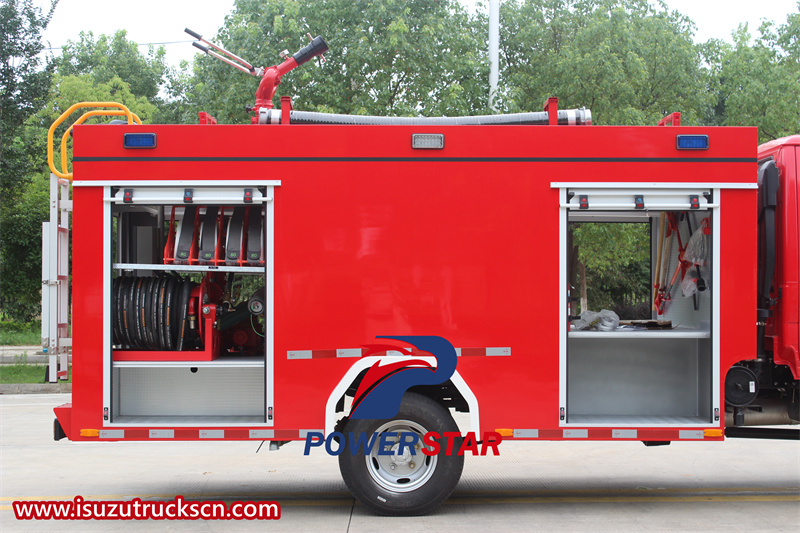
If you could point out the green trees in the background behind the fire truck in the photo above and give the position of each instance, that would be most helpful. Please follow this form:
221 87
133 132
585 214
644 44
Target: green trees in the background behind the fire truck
629 61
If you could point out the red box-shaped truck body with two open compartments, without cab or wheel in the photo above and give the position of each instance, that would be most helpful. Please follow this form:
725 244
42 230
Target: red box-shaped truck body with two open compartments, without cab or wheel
368 236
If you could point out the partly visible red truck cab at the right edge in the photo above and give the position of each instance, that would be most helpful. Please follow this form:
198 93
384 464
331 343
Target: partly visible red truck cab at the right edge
771 390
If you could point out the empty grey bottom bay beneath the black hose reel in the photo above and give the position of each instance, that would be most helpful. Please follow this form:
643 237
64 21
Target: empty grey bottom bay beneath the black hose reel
193 390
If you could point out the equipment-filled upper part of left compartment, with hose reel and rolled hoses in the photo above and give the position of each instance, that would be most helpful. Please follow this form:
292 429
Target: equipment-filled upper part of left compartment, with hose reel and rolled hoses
188 283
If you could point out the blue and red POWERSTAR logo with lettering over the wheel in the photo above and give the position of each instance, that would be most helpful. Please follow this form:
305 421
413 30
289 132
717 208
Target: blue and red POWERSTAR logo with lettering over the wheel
380 394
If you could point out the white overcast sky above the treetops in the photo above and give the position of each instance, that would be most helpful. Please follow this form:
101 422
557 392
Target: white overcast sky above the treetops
163 21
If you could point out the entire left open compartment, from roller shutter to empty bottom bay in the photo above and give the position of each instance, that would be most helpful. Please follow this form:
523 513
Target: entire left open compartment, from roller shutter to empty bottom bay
189 305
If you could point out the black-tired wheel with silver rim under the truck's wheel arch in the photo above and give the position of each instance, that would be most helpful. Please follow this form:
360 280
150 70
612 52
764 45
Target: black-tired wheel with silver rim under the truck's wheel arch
428 482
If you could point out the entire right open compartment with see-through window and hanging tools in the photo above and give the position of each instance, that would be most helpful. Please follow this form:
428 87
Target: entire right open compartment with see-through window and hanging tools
656 368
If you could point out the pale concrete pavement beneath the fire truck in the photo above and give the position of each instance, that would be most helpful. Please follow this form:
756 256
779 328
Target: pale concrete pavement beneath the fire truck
738 485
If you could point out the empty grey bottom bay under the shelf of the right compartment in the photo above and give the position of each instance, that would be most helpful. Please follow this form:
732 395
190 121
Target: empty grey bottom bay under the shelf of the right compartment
612 379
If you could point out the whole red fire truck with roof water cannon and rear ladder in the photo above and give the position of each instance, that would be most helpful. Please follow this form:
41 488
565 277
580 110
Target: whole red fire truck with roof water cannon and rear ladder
238 282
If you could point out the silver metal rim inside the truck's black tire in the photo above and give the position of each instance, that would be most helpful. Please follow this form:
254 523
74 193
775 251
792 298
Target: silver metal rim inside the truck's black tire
400 472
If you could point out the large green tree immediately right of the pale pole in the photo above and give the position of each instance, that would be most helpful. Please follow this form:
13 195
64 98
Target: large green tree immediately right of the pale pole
630 61
